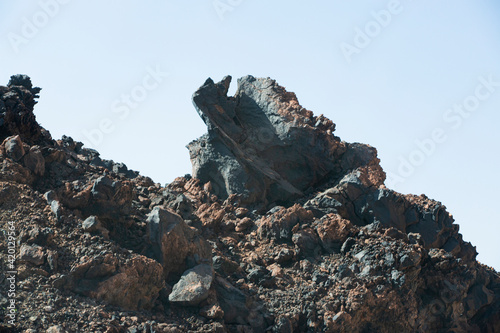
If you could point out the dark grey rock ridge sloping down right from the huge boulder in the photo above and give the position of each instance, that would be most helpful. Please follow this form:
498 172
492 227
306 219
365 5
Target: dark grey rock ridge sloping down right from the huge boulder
357 198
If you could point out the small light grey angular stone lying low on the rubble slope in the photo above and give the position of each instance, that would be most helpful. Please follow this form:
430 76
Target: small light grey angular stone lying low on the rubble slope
193 286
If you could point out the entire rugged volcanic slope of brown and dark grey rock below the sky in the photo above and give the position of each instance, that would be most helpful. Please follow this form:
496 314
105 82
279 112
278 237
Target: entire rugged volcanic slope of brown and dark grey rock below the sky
283 228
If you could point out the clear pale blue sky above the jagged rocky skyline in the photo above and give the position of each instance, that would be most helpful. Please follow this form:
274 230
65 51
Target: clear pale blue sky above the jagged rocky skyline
422 59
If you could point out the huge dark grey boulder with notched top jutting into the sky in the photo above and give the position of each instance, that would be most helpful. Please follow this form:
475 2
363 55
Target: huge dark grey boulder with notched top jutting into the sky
264 145
